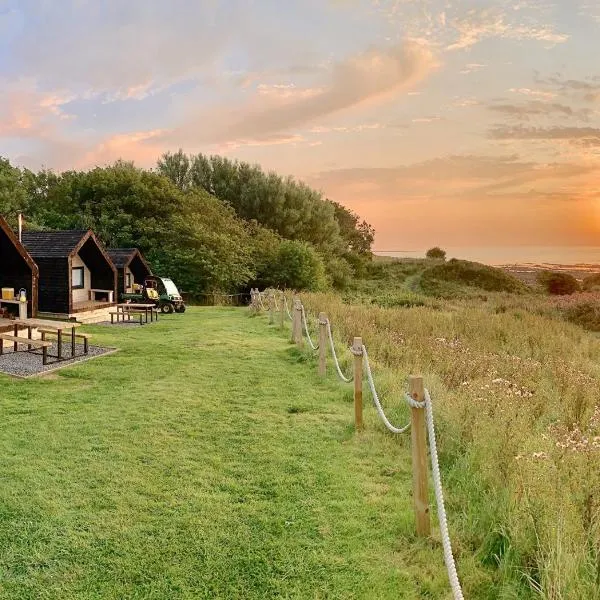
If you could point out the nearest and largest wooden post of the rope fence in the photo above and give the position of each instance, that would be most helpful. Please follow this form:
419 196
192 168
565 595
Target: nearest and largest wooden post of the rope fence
418 434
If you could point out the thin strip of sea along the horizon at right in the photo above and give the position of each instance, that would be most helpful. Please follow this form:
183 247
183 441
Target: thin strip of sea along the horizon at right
512 255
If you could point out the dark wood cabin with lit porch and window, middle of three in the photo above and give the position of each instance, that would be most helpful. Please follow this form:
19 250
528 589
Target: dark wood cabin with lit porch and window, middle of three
76 273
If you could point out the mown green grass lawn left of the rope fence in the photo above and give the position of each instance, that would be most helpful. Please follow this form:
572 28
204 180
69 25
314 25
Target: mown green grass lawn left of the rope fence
205 459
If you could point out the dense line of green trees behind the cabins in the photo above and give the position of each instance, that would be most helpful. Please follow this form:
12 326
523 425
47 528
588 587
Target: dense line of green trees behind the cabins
210 223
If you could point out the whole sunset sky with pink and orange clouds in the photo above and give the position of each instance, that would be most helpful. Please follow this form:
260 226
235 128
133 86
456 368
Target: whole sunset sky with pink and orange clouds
450 122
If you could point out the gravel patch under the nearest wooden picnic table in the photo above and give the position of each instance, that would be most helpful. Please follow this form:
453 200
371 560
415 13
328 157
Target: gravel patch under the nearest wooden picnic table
26 364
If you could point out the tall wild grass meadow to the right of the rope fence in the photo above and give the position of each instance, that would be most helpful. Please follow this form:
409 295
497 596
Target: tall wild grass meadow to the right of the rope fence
517 401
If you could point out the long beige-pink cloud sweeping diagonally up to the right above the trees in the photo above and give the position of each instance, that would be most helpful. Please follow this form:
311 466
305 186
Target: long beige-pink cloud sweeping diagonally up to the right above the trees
370 77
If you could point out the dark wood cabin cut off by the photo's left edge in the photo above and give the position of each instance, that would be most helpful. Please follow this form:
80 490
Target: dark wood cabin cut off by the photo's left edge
18 270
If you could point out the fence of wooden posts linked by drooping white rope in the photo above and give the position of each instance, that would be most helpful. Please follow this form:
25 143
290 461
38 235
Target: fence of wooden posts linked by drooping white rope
418 399
